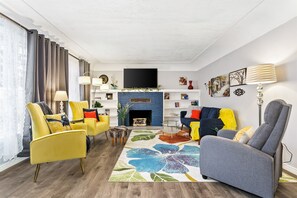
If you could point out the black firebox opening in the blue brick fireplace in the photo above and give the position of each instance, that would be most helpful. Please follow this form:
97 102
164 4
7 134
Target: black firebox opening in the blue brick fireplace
138 115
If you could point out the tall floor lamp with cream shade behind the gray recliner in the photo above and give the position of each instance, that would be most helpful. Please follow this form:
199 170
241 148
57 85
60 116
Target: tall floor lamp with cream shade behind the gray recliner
260 74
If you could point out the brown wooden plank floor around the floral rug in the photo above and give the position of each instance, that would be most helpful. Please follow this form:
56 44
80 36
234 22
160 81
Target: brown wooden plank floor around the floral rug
64 179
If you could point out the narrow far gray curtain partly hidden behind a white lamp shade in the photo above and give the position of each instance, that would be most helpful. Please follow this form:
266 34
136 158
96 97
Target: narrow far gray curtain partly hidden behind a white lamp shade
84 69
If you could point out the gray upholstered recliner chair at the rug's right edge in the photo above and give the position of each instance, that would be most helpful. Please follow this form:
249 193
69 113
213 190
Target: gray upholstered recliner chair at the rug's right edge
254 167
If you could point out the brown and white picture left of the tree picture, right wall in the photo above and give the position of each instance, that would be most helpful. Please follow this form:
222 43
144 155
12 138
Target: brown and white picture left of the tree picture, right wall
219 86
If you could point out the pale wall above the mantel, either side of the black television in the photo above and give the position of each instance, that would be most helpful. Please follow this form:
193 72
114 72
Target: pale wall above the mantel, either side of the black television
167 79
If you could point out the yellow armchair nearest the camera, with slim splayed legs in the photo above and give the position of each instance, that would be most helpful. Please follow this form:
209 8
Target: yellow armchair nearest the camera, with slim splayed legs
46 147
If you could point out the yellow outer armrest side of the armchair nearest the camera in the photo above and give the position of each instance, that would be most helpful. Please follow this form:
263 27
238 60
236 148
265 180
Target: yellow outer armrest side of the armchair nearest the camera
58 146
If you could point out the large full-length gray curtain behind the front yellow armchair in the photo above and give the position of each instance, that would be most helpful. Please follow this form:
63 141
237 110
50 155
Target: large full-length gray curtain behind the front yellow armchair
47 73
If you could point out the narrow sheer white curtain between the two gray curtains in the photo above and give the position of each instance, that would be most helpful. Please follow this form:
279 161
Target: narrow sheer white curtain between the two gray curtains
73 91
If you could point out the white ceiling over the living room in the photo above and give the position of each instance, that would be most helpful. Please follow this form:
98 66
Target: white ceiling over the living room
136 31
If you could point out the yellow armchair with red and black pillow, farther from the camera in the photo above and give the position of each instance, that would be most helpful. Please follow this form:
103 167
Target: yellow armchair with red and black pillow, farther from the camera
93 127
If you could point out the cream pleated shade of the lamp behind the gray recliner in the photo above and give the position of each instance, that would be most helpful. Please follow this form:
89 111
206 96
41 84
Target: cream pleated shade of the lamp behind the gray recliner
261 74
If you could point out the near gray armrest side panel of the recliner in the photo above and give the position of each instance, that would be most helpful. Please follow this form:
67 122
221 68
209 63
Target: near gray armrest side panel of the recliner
237 164
